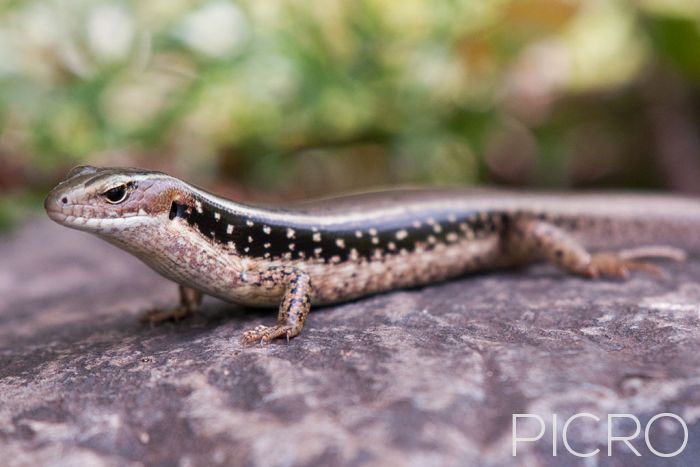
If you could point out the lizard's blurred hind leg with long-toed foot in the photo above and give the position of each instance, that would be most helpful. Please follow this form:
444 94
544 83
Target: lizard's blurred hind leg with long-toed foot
538 239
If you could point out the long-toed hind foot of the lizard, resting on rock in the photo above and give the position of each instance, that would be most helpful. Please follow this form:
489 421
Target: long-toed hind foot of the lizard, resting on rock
619 265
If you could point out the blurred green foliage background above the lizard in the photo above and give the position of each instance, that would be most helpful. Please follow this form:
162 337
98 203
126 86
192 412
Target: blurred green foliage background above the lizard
293 98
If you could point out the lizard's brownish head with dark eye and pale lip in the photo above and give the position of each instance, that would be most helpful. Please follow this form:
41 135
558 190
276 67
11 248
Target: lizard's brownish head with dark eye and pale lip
103 200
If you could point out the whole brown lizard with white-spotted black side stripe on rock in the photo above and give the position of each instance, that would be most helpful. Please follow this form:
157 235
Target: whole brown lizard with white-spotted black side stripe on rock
344 248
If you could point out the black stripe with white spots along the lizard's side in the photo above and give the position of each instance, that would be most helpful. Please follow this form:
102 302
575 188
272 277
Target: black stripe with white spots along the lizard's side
270 238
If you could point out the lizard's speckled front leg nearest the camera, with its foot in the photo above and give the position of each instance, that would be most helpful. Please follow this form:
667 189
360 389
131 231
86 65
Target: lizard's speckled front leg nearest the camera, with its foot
293 311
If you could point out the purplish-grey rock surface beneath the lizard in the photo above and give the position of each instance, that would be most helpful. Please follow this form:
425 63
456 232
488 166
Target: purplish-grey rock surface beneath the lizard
421 377
